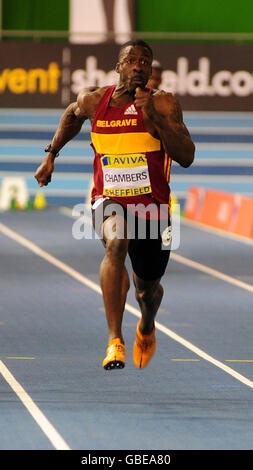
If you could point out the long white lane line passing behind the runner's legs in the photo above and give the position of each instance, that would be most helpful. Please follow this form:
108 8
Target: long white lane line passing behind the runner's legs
87 282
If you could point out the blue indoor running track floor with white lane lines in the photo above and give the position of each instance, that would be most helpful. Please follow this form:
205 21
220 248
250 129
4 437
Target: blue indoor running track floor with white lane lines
197 392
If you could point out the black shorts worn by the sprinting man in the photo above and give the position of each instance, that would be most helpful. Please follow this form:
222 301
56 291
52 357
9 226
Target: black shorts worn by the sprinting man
148 254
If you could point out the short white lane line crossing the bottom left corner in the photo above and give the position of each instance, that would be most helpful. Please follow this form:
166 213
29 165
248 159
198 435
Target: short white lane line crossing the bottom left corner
54 437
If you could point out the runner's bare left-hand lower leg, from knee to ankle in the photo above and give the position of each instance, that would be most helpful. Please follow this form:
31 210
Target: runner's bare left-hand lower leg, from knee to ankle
114 279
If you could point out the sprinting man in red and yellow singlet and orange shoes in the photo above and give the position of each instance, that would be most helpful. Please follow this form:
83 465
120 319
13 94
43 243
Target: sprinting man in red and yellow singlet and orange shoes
136 132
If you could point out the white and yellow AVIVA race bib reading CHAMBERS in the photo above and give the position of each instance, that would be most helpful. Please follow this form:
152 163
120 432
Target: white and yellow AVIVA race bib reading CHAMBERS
125 175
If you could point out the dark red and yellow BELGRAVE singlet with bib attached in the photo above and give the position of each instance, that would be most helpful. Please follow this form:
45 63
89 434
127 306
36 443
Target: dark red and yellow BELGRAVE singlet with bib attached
130 165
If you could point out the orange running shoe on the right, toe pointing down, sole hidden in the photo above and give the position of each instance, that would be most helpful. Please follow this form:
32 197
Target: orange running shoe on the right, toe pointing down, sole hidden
144 348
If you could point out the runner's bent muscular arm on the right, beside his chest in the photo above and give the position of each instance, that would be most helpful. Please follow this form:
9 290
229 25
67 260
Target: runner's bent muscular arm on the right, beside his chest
166 115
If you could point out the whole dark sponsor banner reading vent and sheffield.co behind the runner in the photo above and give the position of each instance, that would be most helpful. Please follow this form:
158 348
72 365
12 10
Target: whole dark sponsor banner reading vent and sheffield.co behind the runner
50 75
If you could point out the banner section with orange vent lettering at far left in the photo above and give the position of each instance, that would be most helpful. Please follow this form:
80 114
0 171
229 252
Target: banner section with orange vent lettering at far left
30 75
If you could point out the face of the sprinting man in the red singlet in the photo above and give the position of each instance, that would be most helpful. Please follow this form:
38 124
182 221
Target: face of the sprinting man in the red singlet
134 67
